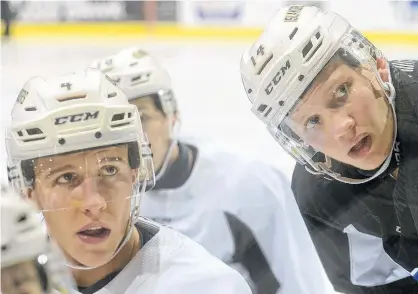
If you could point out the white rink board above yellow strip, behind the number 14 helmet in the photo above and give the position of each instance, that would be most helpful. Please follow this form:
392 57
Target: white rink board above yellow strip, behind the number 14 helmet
365 15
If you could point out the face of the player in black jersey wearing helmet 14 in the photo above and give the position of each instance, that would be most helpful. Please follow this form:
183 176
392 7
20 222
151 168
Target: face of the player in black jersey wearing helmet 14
346 116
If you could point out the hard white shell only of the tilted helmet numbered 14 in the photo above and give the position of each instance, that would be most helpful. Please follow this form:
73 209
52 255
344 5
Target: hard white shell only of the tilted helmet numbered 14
280 65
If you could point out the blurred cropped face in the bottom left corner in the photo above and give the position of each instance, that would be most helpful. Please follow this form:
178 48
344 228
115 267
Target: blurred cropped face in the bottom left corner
22 278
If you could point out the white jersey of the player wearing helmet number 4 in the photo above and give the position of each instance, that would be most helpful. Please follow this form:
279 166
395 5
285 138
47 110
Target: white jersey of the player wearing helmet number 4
168 263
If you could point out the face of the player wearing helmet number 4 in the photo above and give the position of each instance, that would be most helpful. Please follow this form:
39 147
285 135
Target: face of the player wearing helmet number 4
88 195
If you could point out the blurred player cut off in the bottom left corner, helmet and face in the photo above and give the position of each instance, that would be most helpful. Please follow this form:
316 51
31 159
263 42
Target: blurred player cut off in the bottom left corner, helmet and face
30 262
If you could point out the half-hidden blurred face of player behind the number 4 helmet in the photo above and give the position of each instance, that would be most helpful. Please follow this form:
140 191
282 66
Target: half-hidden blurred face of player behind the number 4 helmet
156 125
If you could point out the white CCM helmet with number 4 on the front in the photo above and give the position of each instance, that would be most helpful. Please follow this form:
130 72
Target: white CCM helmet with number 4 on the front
74 113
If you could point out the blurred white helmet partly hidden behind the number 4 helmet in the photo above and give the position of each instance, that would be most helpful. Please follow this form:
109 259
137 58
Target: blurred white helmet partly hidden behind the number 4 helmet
139 74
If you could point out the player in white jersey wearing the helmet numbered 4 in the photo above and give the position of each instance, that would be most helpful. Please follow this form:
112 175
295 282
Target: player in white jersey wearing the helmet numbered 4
78 151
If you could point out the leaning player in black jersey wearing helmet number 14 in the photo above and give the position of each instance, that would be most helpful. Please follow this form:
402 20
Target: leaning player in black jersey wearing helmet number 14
350 119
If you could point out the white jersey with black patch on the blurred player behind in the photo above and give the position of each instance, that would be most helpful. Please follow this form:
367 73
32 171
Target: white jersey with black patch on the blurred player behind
245 214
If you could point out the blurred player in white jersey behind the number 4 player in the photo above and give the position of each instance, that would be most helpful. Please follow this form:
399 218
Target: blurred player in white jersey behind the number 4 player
241 210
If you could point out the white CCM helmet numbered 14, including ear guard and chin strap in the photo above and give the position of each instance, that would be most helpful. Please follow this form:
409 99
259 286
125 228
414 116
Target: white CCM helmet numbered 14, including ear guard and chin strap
279 67
